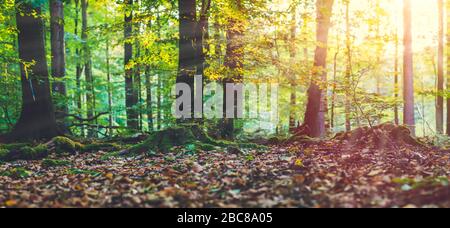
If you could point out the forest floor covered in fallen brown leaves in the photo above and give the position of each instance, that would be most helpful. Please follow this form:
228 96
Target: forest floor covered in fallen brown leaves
332 173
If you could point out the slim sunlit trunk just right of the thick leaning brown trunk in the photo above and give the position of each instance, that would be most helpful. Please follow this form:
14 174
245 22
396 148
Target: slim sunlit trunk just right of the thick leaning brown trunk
349 68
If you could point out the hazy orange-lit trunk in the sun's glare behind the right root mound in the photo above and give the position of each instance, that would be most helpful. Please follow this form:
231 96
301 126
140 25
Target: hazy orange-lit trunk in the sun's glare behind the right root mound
408 73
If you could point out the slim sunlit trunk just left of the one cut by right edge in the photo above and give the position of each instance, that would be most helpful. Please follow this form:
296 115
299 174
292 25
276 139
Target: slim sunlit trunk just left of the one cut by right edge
440 81
